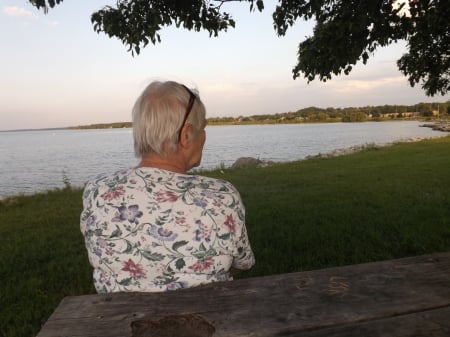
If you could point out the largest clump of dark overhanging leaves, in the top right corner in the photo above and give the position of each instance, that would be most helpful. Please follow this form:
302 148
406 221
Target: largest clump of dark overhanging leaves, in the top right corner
351 30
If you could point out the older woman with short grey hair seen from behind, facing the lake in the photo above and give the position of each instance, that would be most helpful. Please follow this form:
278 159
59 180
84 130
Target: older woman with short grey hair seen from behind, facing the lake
154 227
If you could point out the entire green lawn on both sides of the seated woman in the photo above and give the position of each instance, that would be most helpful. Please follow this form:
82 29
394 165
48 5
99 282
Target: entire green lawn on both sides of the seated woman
377 204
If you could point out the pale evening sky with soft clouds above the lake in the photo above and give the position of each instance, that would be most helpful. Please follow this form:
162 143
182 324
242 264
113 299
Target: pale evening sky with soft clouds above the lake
56 71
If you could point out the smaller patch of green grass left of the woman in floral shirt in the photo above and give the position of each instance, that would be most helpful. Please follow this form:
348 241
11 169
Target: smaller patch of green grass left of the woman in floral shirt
41 258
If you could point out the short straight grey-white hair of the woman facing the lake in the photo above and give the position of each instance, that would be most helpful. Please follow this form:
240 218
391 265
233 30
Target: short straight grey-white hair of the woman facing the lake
158 114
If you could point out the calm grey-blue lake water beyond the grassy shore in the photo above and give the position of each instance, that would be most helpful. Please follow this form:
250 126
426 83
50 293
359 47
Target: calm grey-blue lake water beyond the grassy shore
38 160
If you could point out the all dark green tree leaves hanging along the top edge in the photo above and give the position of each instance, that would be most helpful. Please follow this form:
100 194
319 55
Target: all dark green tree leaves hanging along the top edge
346 31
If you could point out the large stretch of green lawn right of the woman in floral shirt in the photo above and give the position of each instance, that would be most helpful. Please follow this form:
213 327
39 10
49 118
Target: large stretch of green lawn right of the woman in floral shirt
381 203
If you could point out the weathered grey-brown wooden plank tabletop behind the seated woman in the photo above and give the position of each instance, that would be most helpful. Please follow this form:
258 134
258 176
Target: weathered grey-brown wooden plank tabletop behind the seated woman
404 297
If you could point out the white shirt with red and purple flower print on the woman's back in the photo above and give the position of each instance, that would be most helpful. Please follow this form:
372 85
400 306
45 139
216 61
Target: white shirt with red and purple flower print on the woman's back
148 229
